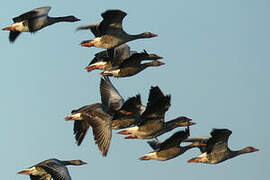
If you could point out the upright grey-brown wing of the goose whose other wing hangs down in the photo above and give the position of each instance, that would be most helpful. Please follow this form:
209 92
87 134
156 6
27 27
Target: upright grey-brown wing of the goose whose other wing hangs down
110 97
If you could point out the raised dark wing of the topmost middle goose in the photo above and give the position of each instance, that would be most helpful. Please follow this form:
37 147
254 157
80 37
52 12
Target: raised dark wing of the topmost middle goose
112 19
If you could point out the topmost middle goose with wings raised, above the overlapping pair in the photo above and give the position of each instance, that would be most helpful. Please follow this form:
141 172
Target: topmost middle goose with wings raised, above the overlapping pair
109 32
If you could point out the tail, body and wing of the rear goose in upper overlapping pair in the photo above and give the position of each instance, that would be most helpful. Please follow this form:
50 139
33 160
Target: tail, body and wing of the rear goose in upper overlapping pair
103 61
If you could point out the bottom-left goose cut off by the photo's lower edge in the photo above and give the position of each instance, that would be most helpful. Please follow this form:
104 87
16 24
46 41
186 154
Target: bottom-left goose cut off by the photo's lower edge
51 168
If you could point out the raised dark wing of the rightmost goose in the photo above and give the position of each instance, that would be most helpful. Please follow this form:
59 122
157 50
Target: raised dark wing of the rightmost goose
218 141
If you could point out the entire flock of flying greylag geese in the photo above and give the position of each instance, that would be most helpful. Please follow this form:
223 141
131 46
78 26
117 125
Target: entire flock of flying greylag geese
113 112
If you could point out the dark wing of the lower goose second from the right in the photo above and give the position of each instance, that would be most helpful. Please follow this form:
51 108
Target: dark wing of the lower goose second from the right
175 139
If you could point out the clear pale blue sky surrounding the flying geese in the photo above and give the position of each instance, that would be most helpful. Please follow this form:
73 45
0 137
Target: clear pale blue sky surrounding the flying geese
217 72
